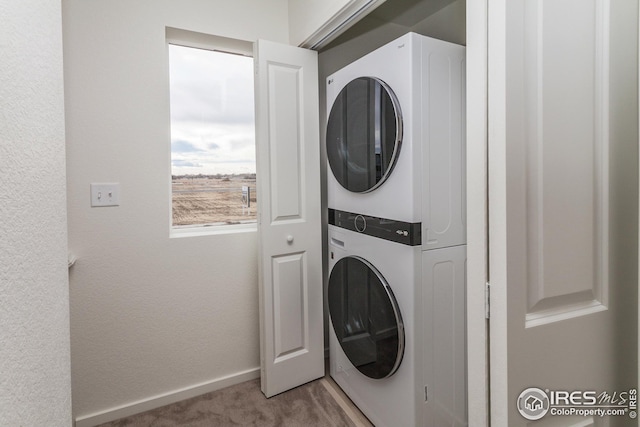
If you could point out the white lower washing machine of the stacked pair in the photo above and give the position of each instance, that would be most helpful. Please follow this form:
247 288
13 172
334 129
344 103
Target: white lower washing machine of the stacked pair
397 328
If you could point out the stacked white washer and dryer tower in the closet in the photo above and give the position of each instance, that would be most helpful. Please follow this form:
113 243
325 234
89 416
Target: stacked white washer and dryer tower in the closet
397 254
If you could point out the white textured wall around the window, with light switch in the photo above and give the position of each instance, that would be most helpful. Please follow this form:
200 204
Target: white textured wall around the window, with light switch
150 315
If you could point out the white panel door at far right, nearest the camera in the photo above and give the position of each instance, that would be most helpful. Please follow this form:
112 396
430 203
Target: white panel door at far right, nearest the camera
552 321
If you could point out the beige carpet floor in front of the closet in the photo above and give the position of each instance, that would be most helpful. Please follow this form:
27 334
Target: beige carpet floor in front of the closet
312 404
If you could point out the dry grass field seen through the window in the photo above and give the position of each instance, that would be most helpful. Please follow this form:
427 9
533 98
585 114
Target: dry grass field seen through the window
212 201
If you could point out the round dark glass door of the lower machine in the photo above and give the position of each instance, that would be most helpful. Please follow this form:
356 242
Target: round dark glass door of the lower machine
365 317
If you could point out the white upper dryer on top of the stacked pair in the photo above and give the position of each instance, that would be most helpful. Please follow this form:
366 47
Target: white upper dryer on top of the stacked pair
395 137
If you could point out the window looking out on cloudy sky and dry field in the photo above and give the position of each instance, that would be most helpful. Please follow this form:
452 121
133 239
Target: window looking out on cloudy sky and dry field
213 165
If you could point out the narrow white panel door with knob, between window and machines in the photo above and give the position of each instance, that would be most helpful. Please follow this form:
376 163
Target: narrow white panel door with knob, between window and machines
289 227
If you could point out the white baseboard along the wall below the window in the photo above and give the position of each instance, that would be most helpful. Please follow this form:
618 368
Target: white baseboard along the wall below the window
165 399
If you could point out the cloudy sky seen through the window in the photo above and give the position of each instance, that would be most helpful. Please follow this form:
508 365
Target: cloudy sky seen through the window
212 116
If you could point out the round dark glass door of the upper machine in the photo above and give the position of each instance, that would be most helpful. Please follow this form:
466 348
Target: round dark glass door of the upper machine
364 134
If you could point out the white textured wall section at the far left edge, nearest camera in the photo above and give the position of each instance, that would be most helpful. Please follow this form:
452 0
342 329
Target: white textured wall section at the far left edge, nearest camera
35 385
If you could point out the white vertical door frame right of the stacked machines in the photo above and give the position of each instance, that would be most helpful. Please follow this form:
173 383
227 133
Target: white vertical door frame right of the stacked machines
477 214
